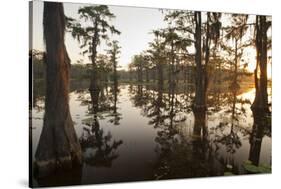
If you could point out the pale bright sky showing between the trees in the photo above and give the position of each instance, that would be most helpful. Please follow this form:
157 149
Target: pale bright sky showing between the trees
135 24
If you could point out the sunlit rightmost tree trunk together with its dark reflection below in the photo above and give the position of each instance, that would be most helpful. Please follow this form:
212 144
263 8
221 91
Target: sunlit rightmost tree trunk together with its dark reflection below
260 105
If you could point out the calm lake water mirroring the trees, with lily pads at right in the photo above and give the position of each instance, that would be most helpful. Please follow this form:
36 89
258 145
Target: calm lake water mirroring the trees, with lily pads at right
146 132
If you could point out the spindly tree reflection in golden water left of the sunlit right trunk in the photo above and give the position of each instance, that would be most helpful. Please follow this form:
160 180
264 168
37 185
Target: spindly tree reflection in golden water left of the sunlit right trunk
229 132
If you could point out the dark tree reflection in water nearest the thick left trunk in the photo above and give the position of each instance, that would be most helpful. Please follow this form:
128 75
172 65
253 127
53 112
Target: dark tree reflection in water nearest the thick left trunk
98 147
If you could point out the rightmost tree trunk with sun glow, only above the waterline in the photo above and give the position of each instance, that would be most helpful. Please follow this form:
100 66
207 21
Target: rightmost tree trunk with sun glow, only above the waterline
261 98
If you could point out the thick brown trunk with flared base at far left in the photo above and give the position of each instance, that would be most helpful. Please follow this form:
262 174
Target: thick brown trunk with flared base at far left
58 145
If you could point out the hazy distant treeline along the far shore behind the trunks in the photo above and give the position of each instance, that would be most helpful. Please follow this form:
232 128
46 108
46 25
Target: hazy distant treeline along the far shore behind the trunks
185 73
